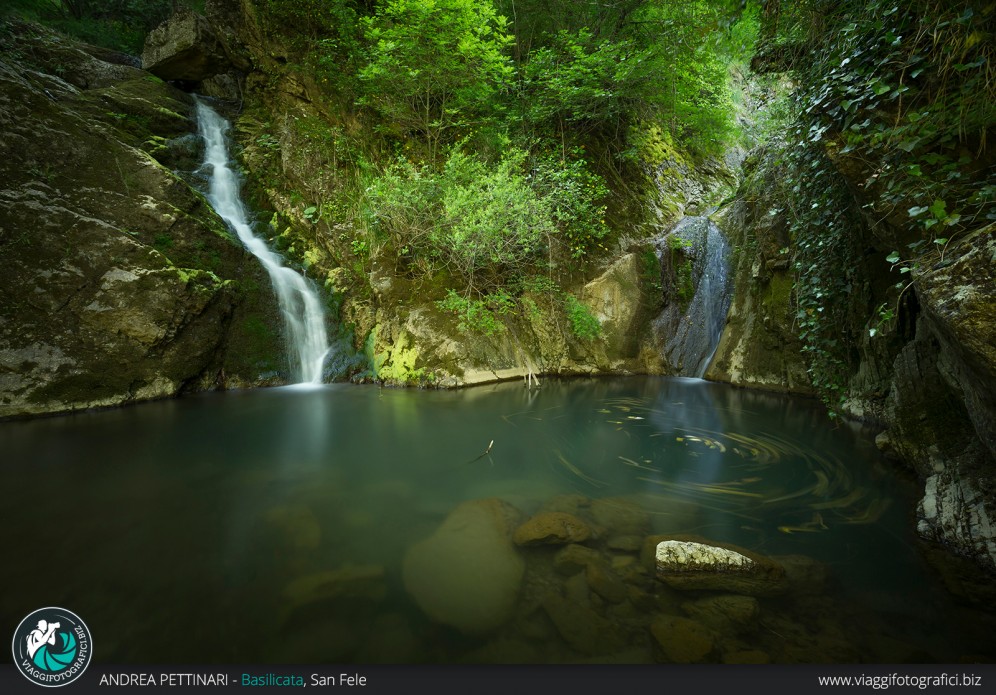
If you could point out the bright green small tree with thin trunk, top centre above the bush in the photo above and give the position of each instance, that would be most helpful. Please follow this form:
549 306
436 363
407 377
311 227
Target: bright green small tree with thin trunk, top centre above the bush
436 67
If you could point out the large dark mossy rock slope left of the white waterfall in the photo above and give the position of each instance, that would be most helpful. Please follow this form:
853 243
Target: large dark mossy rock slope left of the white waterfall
116 276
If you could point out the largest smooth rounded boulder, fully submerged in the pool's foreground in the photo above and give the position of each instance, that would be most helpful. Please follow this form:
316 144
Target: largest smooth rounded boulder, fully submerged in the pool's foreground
467 574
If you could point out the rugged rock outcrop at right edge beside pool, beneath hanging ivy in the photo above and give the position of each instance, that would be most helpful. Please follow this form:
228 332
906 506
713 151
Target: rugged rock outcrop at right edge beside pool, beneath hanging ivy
943 405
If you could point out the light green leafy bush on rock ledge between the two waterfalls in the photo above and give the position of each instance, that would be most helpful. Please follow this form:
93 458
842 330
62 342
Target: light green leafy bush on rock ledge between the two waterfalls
486 223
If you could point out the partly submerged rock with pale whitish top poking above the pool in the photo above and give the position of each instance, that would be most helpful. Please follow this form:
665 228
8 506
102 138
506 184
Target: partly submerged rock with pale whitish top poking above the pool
690 565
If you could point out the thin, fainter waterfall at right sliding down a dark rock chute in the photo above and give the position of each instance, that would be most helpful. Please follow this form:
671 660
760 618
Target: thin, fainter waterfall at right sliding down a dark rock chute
690 337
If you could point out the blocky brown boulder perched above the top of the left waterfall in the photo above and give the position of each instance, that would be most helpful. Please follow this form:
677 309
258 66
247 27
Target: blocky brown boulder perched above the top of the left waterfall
185 47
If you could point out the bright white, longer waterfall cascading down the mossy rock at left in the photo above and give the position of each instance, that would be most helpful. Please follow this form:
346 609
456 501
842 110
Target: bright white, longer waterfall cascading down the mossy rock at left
304 317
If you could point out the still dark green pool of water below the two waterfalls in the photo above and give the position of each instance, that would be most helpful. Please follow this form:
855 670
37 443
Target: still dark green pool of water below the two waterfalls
183 531
